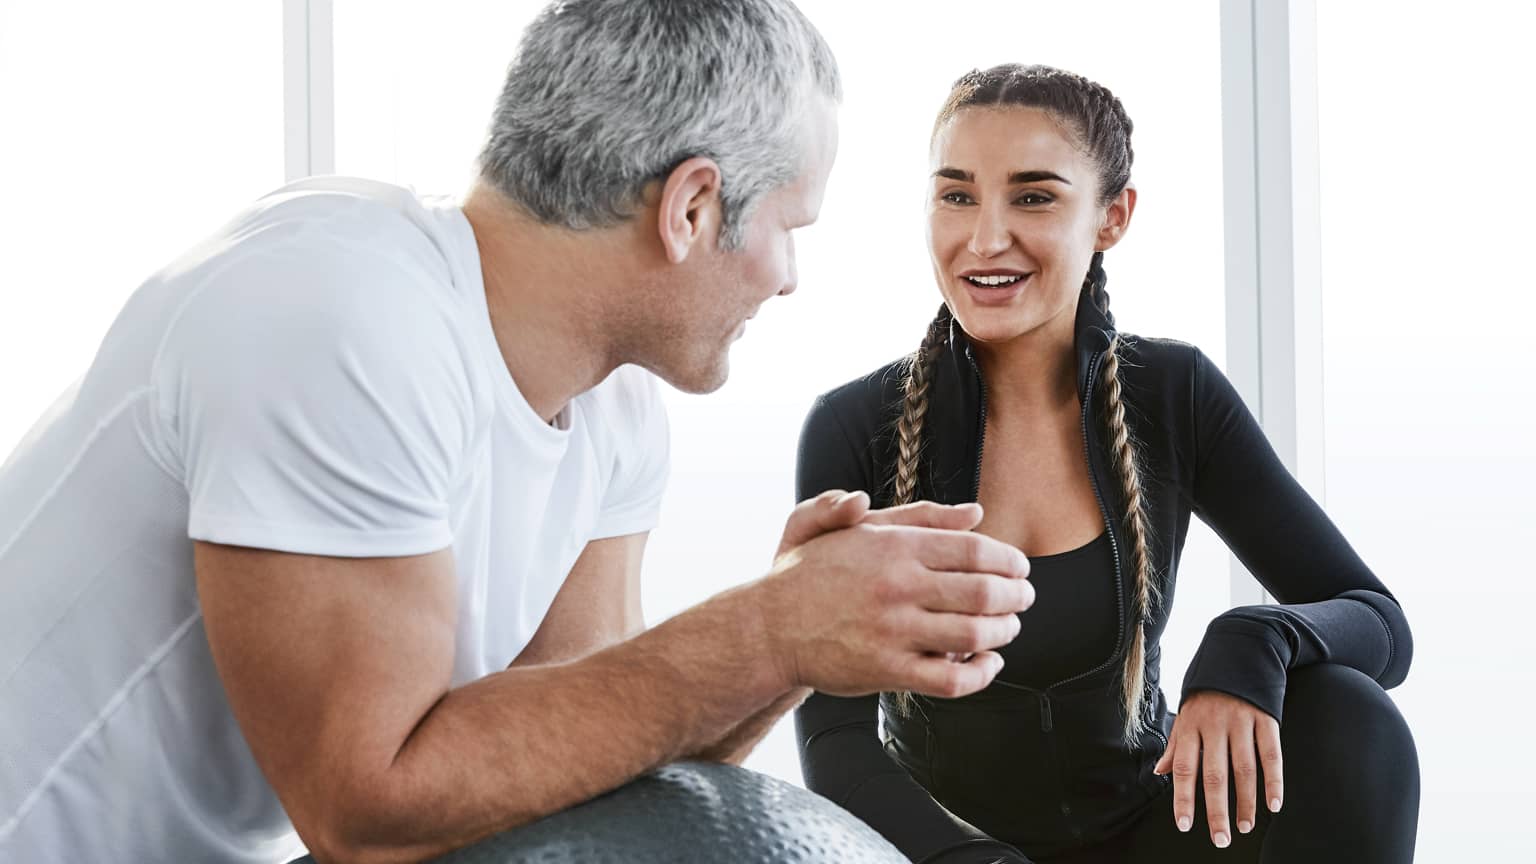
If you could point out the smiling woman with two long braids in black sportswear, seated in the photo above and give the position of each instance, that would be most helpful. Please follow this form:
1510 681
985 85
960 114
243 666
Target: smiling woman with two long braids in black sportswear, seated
1015 391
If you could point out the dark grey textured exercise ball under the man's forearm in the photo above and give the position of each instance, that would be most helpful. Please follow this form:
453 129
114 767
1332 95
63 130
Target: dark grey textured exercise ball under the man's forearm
692 812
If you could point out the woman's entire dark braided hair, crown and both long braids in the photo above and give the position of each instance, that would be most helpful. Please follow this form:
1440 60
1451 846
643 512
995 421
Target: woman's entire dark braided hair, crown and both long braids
1104 130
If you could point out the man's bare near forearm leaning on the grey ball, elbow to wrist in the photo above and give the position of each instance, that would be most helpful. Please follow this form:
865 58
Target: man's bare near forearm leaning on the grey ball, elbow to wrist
525 743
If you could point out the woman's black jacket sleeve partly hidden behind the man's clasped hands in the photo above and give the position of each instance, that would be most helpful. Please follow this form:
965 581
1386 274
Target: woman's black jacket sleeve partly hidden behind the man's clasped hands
841 753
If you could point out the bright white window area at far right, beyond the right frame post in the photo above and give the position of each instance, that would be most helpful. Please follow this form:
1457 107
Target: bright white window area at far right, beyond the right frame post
1428 299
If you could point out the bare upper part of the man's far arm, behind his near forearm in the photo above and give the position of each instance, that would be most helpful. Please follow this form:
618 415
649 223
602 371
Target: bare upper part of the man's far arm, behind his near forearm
598 605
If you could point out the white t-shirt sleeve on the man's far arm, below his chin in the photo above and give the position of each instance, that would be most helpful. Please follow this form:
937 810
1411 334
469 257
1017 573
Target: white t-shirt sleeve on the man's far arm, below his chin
632 502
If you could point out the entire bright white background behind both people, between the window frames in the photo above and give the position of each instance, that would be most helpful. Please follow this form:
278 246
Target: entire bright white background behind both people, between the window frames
127 131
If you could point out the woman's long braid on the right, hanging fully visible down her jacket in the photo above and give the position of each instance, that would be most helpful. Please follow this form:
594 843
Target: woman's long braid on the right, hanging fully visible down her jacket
1128 470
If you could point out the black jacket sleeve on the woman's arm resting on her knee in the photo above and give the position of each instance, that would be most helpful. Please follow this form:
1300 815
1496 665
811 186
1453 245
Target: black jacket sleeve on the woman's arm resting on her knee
1332 608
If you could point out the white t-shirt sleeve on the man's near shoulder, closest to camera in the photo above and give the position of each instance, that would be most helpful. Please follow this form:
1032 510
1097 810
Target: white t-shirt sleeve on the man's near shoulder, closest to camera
322 404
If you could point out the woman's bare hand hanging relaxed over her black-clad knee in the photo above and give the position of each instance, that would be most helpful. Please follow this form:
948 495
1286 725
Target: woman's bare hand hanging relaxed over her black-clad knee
1217 737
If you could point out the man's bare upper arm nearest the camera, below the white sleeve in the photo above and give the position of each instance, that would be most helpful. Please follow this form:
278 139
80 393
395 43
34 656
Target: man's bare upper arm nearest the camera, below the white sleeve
328 663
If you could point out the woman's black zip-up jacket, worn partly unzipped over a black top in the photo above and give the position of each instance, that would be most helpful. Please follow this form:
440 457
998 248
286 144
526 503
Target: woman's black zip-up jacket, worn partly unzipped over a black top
1054 759
